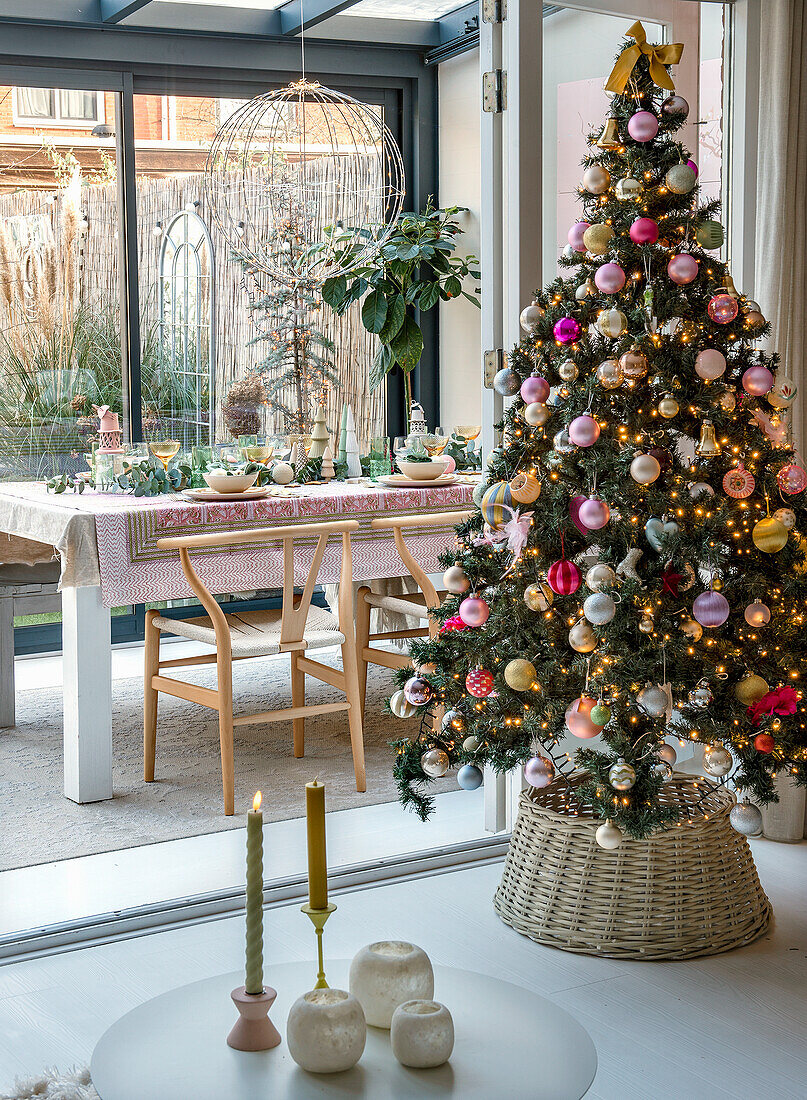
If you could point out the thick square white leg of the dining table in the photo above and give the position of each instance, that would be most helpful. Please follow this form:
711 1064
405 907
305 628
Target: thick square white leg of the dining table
87 663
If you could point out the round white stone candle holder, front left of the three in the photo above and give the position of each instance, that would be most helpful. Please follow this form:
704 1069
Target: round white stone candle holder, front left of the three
326 1031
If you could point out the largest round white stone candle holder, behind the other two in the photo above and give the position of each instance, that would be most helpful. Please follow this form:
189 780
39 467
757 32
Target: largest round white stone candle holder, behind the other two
388 974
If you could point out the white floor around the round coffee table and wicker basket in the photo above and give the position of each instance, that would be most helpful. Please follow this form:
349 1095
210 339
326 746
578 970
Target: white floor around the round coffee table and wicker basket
728 1028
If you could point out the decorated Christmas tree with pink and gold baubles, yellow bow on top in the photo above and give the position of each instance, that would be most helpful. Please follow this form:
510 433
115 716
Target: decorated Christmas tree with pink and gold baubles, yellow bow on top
637 568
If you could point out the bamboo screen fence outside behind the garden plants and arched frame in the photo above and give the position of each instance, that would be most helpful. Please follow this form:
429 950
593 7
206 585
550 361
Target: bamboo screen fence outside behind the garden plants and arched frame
35 223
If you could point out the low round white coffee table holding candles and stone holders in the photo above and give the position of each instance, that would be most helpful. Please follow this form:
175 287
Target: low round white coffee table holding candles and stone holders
511 1046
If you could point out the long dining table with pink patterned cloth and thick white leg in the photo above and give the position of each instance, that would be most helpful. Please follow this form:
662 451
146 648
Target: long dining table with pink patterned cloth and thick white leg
107 544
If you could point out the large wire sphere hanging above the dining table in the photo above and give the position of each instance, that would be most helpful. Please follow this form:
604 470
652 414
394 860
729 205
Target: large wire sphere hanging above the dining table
305 182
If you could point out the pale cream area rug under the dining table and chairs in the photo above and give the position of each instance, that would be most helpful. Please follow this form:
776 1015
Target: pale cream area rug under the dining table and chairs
40 826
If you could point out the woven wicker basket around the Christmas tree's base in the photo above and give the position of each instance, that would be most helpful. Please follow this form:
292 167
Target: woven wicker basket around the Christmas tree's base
689 890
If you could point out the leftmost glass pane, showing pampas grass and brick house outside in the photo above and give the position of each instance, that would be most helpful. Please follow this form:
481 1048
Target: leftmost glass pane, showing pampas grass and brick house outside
60 315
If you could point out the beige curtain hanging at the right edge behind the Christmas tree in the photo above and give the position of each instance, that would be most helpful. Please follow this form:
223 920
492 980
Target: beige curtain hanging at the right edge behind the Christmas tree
782 208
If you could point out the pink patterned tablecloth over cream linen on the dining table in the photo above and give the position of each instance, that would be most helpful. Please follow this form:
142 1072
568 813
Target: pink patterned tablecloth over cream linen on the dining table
134 570
